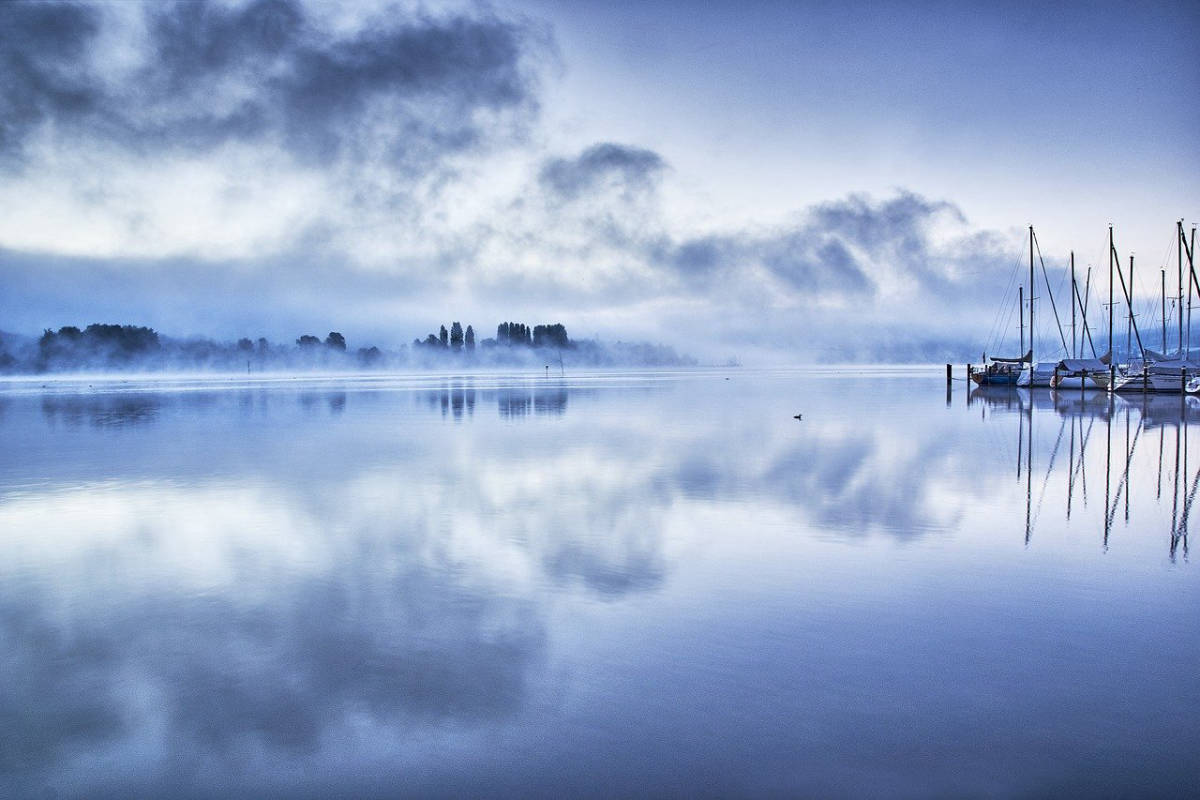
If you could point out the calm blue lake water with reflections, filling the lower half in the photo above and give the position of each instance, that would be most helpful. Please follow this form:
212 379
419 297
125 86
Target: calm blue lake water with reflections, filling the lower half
613 584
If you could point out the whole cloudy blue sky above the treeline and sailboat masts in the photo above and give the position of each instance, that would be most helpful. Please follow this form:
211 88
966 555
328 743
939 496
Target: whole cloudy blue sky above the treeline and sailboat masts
764 181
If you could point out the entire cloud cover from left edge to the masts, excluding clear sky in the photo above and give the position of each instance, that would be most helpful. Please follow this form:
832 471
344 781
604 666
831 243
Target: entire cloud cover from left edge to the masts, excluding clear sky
268 167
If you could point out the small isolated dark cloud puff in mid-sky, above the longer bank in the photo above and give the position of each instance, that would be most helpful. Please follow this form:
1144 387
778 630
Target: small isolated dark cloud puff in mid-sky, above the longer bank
602 166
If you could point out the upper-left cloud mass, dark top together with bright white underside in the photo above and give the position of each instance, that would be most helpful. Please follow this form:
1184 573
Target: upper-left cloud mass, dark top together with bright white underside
221 131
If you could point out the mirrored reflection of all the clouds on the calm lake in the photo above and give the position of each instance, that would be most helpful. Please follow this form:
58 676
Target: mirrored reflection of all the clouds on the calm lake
259 580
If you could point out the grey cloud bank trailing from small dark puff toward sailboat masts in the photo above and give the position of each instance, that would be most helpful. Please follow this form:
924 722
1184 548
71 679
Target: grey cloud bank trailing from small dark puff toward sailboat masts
835 250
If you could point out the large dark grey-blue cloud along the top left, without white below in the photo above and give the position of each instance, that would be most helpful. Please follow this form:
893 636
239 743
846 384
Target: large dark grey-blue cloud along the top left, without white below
406 88
